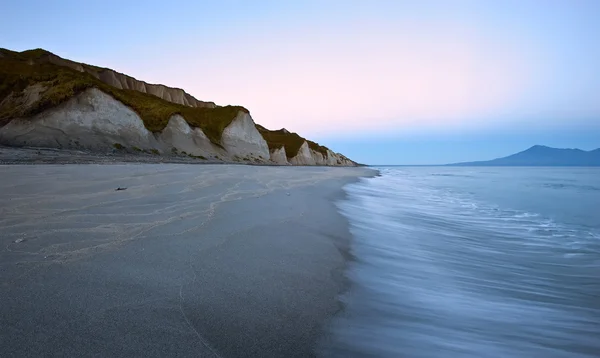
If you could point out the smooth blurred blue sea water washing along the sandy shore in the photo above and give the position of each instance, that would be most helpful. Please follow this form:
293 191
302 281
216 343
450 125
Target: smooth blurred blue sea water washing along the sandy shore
472 262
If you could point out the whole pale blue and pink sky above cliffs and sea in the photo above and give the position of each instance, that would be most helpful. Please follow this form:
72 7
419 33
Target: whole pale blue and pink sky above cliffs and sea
383 82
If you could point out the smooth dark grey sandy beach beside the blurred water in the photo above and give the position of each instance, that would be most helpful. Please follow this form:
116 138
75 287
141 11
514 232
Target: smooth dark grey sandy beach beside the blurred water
189 261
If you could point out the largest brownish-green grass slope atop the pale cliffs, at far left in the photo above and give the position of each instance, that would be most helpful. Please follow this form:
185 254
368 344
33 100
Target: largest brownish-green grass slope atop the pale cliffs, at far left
19 70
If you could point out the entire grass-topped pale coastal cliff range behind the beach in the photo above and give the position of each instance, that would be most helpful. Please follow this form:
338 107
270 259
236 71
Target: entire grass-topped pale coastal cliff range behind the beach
50 102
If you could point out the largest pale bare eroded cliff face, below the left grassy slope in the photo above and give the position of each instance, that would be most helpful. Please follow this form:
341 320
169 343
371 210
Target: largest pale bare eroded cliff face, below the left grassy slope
94 120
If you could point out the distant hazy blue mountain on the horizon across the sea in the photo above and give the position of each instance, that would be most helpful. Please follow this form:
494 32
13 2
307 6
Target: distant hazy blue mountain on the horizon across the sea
540 155
